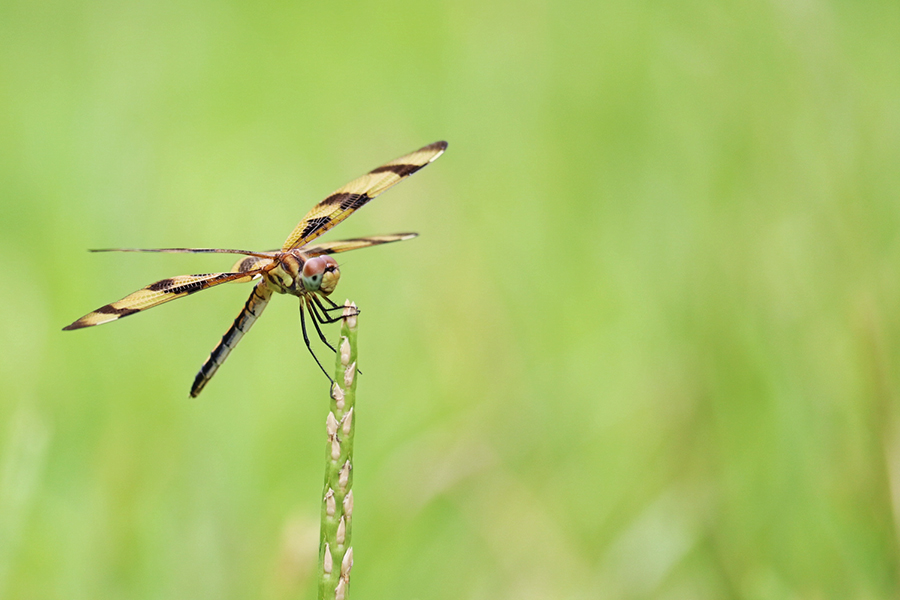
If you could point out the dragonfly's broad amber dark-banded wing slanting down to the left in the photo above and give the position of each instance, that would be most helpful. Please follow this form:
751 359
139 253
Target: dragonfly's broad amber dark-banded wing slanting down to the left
156 294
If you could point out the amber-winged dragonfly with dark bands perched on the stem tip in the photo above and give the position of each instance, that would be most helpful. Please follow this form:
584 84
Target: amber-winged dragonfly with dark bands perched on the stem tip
300 268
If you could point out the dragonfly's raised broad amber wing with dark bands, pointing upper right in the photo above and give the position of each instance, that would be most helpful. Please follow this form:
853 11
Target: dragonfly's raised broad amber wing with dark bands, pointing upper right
341 204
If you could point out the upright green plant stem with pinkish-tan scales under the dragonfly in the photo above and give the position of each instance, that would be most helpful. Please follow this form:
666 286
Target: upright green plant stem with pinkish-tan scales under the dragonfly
335 552
